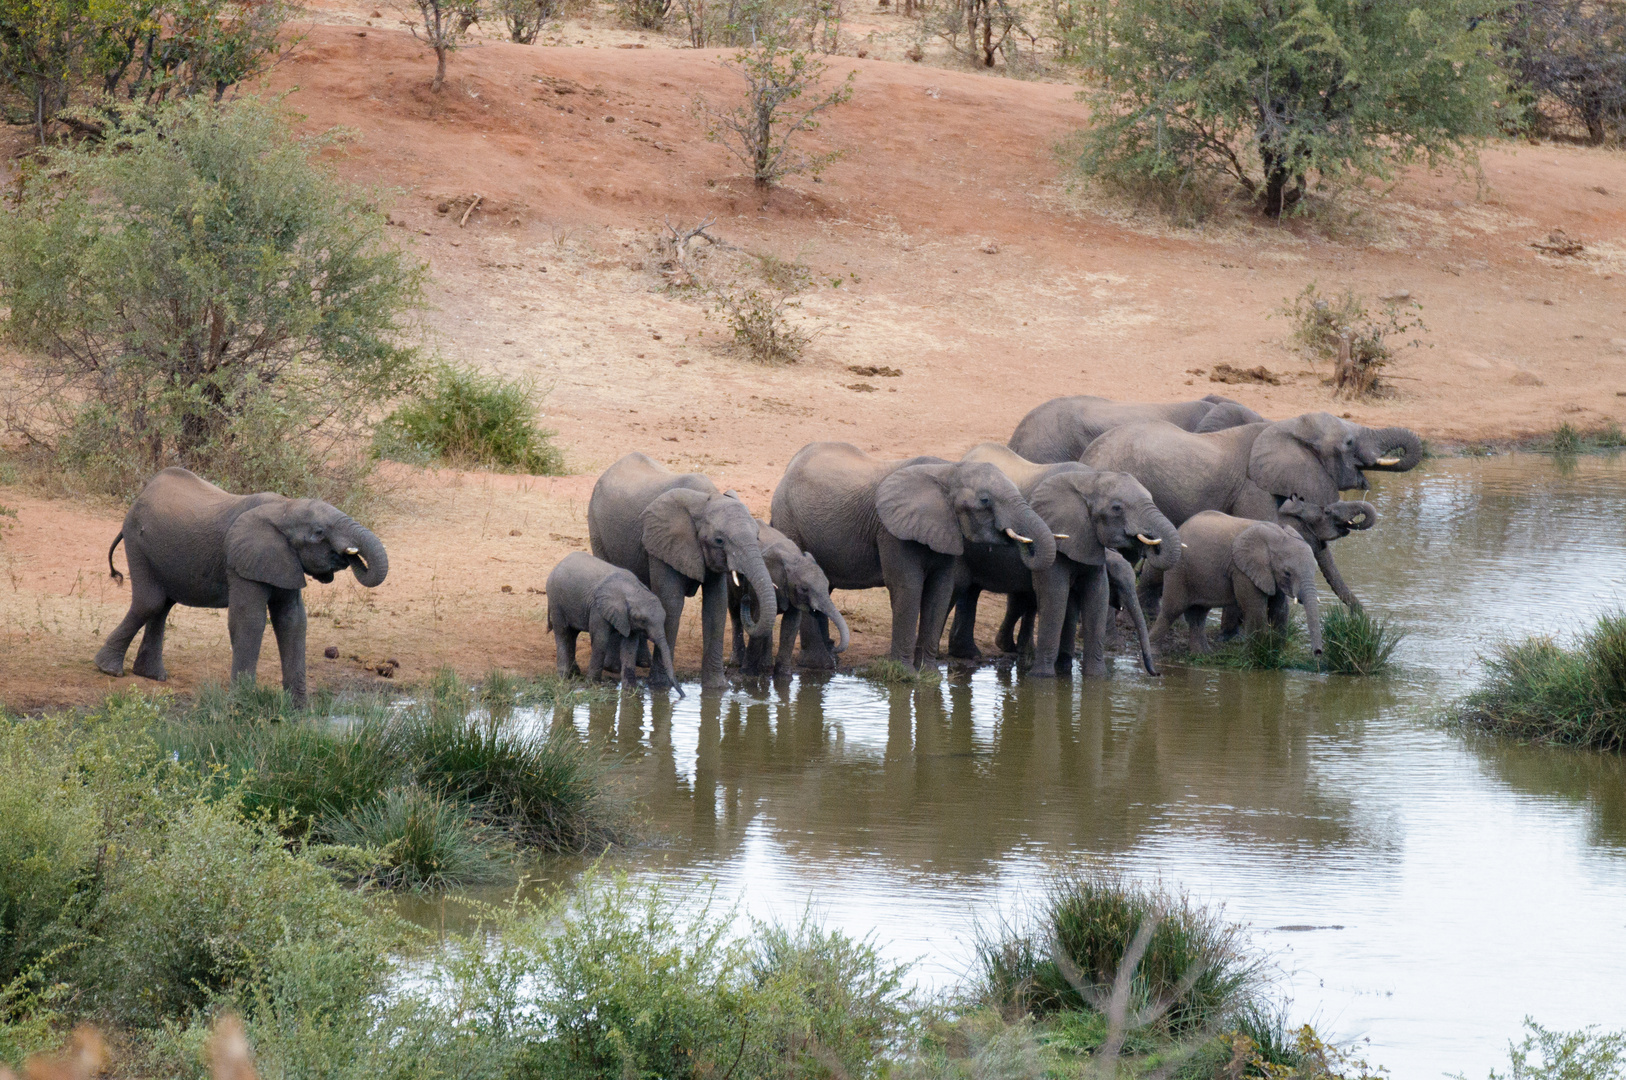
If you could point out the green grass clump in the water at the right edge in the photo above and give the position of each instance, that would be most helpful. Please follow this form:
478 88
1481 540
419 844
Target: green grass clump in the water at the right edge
1542 692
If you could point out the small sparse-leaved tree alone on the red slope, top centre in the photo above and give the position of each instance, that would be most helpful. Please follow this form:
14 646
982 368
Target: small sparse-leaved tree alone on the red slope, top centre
763 133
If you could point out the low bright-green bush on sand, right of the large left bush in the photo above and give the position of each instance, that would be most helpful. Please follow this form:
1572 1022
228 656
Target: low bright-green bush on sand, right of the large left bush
471 420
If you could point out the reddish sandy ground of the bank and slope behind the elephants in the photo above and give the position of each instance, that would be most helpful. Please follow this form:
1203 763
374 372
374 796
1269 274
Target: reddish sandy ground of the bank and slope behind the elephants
947 246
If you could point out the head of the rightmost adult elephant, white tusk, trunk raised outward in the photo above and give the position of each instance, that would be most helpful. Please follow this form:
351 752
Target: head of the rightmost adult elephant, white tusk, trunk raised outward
1316 456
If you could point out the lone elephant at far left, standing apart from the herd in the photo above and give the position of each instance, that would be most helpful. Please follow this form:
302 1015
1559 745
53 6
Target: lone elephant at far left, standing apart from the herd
189 542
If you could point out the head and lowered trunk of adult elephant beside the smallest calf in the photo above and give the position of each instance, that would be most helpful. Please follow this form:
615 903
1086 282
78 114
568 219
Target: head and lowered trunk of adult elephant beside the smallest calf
700 534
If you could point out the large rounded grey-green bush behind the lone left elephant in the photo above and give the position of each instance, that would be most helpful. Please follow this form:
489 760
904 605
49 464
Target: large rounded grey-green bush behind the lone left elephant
201 294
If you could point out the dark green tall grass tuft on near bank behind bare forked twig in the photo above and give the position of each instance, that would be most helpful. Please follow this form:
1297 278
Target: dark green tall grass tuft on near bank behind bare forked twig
1194 973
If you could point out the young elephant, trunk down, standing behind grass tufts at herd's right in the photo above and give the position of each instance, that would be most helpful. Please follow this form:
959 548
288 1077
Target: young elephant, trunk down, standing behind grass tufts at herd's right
1250 568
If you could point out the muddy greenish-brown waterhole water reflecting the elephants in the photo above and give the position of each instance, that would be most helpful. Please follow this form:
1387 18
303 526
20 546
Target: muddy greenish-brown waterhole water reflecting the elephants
1454 884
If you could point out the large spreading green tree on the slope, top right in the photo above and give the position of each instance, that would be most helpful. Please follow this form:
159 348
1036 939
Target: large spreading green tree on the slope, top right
1272 94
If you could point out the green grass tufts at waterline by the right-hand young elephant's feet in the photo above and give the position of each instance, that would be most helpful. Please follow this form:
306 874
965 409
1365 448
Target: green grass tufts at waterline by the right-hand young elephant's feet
1354 643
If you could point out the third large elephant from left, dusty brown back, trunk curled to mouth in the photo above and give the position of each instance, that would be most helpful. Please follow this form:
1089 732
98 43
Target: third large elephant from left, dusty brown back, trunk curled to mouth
905 526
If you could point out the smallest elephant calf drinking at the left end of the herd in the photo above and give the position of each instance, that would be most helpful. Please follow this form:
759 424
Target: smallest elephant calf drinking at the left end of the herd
615 609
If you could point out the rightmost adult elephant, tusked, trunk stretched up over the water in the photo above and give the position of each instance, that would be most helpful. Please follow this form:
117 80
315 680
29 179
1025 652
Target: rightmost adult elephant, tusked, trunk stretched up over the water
1254 469
